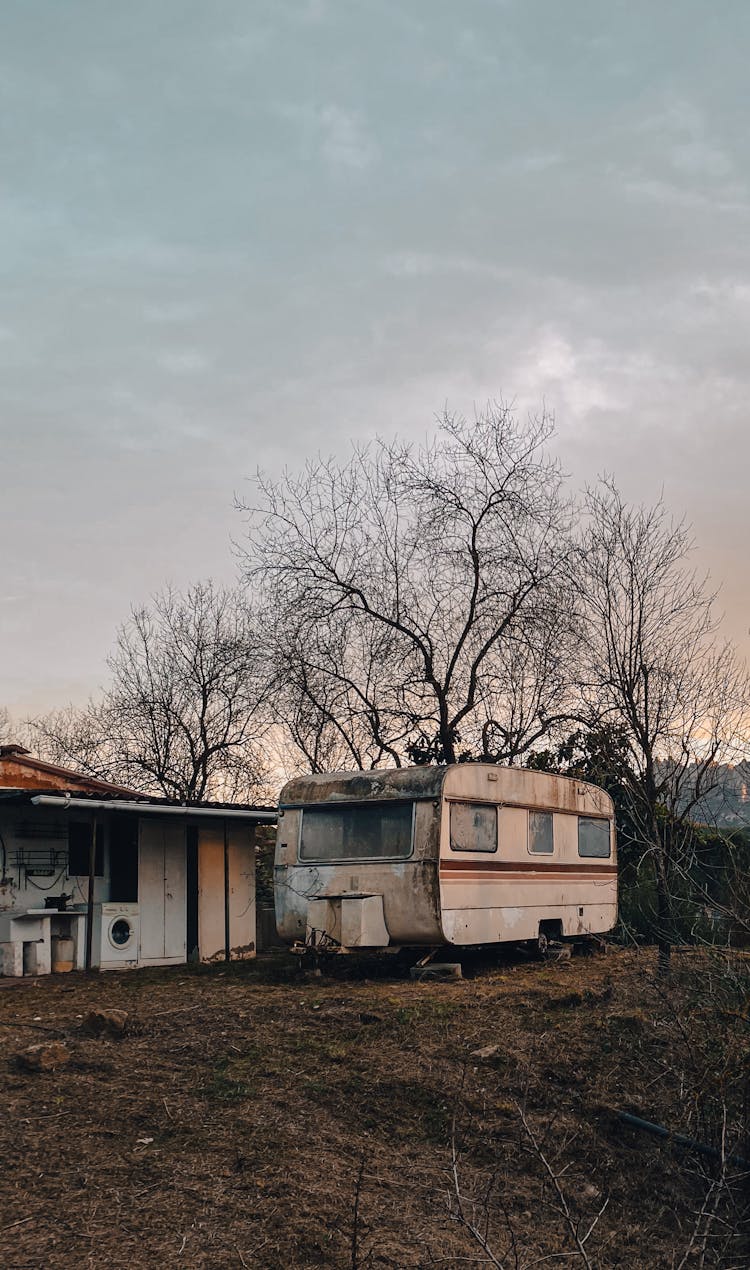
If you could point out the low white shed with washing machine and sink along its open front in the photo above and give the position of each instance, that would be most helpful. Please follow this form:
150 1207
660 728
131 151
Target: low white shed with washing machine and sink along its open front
93 874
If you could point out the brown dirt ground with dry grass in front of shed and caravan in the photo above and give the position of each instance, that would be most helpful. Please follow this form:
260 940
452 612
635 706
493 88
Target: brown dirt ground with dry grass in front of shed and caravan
253 1117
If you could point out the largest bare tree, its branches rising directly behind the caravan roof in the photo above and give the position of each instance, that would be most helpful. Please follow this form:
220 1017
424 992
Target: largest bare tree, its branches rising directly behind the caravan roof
416 594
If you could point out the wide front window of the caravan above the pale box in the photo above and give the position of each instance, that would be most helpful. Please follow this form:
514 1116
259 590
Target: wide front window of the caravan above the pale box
372 831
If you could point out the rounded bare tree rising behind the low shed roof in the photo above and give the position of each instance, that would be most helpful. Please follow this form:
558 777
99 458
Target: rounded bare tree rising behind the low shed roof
187 707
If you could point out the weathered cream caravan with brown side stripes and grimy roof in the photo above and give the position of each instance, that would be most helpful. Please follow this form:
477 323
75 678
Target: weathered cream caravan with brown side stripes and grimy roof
464 855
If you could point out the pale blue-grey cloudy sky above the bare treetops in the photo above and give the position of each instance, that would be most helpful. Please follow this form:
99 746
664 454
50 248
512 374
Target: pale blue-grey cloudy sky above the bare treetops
234 234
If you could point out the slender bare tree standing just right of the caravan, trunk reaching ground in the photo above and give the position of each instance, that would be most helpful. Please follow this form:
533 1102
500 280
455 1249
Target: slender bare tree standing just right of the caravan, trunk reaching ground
657 672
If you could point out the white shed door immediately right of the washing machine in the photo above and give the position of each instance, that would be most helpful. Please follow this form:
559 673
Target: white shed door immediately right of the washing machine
163 892
